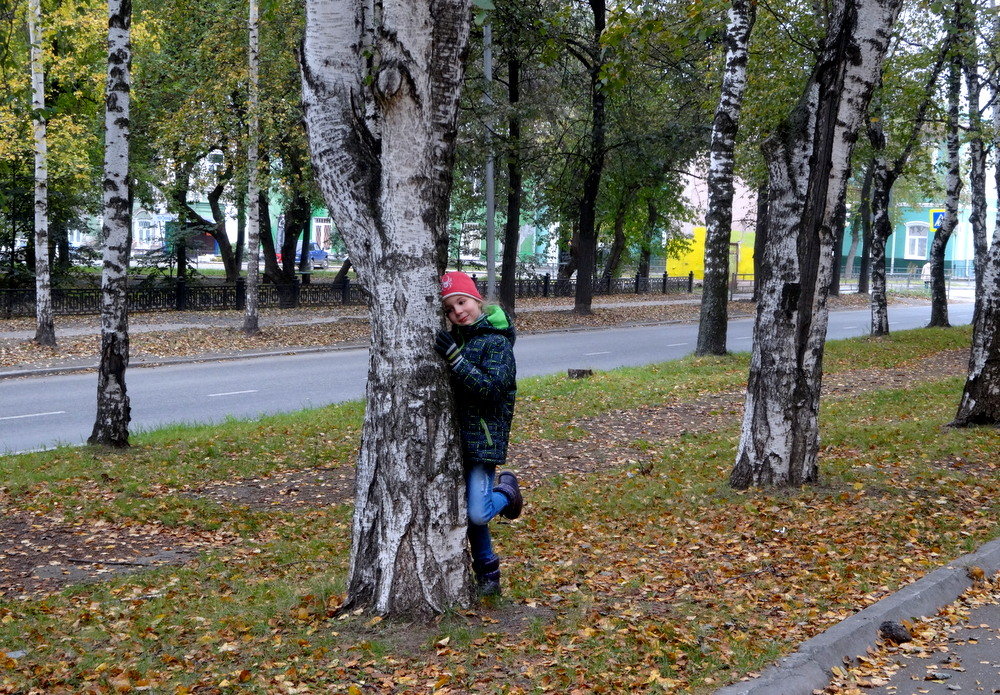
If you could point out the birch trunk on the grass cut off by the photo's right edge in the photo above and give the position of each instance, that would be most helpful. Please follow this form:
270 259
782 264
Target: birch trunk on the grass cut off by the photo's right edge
980 403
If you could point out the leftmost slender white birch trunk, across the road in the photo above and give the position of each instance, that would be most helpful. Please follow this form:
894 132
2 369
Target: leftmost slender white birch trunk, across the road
45 333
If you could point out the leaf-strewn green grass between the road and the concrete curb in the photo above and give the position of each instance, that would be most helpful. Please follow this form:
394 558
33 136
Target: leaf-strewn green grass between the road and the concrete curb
655 578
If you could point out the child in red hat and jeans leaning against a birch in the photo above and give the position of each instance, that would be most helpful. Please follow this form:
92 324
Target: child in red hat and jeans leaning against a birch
479 351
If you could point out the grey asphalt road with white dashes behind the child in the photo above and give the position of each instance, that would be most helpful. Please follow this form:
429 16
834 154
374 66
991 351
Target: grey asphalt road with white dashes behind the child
45 411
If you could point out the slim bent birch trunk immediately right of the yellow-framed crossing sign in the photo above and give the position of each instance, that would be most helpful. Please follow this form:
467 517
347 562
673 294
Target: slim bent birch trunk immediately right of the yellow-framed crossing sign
953 186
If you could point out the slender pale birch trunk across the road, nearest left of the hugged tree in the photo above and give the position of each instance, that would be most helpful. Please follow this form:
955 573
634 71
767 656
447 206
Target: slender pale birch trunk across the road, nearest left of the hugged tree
251 325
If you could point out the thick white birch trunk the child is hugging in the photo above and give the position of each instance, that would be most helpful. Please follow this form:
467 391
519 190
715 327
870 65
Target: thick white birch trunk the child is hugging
381 96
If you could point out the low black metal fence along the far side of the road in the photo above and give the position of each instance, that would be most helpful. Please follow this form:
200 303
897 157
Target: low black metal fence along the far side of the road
184 296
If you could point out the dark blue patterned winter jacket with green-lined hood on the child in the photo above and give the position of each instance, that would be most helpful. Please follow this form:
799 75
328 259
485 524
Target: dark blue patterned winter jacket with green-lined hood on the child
484 383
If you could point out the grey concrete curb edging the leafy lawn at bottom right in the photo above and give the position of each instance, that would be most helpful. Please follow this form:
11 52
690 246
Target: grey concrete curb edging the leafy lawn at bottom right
808 669
